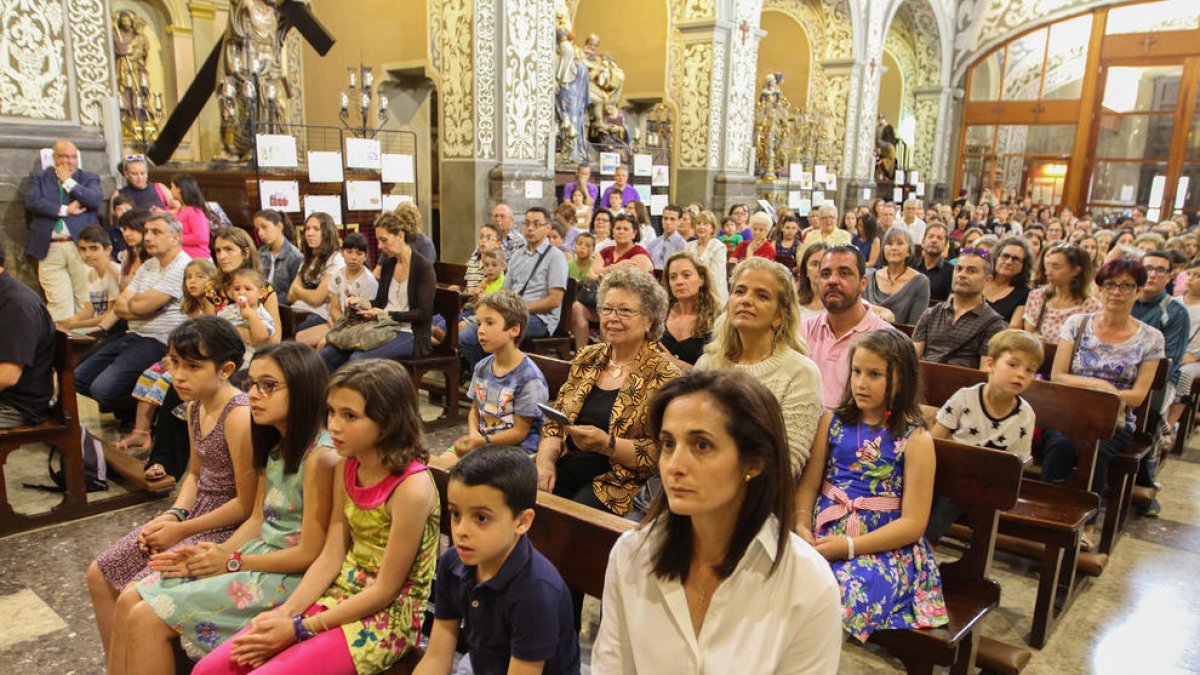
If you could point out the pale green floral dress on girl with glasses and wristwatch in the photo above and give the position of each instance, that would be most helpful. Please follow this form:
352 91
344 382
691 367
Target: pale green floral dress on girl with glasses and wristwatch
208 612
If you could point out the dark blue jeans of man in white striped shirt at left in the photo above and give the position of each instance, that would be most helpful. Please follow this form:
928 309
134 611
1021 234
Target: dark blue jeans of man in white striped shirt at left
110 374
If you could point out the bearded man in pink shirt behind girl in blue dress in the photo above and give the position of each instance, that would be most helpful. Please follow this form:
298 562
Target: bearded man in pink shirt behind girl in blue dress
831 333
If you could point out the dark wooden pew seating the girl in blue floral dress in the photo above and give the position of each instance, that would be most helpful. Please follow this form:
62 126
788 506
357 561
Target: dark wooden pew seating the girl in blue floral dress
985 483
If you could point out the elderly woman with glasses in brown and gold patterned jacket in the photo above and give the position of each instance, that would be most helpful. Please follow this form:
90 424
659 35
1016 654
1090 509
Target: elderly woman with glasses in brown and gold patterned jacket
605 453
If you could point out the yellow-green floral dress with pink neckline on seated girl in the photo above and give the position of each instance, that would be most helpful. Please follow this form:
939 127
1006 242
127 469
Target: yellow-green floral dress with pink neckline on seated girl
380 641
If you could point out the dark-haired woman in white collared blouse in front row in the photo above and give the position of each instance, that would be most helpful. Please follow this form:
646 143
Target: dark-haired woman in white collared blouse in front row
716 582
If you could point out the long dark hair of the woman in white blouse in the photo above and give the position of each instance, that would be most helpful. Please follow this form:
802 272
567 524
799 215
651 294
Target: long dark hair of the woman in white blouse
754 420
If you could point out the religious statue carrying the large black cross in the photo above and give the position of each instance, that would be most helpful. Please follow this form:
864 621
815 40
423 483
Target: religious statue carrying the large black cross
254 88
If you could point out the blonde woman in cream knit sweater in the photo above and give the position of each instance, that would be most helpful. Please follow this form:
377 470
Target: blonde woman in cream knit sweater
759 334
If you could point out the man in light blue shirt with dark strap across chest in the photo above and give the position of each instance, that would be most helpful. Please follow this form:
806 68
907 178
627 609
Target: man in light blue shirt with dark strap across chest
538 273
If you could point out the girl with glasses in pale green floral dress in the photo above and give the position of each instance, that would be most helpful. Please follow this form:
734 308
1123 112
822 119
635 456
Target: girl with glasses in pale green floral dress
206 593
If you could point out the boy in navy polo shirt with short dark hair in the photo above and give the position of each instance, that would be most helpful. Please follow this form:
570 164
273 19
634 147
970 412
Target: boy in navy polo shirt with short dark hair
511 602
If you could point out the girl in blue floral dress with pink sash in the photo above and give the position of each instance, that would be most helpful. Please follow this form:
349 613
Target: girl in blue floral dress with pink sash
866 493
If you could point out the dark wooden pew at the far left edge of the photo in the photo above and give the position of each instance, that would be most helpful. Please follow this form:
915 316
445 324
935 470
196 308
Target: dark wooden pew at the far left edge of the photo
63 431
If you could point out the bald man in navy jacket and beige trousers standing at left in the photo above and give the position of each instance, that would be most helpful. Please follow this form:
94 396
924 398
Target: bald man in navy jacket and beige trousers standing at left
63 201
